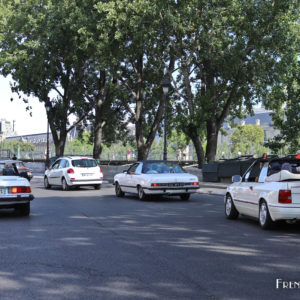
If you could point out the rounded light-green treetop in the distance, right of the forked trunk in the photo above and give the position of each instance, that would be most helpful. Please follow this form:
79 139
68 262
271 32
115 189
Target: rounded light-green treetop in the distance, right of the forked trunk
247 138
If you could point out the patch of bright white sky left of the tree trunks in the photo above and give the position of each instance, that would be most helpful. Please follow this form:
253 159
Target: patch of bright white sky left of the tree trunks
16 110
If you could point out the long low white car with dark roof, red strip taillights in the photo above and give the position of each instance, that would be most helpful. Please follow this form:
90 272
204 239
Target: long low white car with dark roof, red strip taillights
147 178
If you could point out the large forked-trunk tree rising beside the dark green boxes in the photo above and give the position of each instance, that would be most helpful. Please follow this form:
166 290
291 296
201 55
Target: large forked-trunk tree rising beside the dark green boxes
226 52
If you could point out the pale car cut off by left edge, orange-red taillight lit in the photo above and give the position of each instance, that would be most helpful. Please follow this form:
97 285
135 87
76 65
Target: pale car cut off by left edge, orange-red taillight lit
15 190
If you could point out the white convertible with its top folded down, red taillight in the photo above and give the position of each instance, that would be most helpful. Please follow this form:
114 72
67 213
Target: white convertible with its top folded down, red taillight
268 191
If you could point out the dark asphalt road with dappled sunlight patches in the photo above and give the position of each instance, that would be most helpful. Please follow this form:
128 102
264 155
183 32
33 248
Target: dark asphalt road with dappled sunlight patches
88 244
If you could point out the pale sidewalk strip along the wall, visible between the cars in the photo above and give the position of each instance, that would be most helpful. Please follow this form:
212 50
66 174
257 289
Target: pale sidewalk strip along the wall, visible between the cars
212 188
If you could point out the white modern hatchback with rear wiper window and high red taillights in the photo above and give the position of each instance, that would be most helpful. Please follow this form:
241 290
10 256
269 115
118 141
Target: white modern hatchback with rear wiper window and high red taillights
74 171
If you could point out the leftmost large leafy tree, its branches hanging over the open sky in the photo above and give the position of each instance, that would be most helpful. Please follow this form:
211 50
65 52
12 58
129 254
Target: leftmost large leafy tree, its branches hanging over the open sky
41 53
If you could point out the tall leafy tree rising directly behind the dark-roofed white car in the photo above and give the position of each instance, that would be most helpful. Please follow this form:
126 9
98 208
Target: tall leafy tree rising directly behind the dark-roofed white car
139 53
